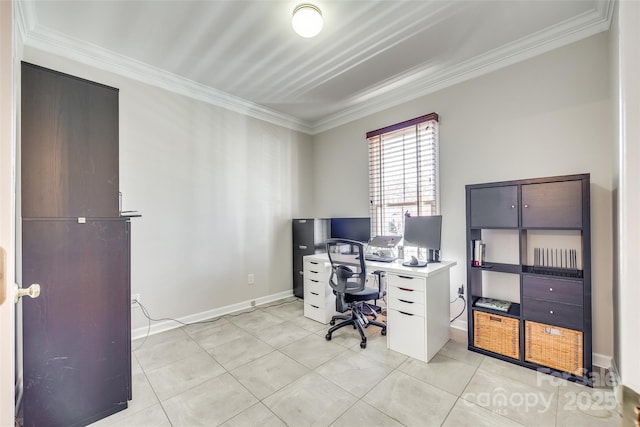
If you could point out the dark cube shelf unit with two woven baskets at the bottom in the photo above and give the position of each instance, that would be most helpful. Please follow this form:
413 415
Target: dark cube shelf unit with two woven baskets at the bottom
546 222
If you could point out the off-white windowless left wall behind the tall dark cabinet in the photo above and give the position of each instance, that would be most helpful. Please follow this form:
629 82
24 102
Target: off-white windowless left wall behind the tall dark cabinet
216 190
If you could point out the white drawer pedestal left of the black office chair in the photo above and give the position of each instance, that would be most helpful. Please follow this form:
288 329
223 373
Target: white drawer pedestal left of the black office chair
319 300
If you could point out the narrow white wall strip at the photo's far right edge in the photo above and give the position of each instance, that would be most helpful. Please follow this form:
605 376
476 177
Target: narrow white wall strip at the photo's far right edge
625 35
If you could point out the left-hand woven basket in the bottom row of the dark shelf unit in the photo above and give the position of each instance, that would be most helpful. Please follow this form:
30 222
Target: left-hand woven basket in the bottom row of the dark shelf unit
495 333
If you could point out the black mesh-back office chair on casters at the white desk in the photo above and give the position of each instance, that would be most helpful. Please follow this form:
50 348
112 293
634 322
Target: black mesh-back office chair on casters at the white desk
348 280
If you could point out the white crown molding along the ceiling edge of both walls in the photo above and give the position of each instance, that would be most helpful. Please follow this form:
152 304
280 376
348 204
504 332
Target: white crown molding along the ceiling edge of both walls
408 87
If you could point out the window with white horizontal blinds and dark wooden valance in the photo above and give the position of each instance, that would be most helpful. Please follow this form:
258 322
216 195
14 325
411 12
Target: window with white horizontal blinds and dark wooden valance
403 173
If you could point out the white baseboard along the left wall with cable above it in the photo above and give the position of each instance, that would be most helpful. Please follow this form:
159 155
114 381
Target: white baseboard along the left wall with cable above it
166 325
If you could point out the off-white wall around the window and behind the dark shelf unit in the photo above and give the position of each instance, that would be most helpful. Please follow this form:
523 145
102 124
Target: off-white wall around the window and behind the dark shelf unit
546 116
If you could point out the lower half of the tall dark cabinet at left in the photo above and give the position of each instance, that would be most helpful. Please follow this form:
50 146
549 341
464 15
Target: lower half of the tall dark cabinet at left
76 334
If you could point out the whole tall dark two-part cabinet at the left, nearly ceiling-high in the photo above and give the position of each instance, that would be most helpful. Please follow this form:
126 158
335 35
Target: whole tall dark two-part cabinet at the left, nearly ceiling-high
75 244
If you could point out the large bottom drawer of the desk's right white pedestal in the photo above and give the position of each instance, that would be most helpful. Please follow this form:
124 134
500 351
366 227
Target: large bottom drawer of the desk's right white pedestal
407 334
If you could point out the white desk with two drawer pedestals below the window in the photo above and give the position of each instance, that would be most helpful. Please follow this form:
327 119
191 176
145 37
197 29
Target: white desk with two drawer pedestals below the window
417 302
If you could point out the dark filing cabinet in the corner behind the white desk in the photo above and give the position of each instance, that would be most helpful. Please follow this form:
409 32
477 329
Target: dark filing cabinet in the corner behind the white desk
309 237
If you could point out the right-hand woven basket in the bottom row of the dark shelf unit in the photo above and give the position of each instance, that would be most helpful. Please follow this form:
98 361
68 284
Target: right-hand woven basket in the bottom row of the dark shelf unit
558 348
